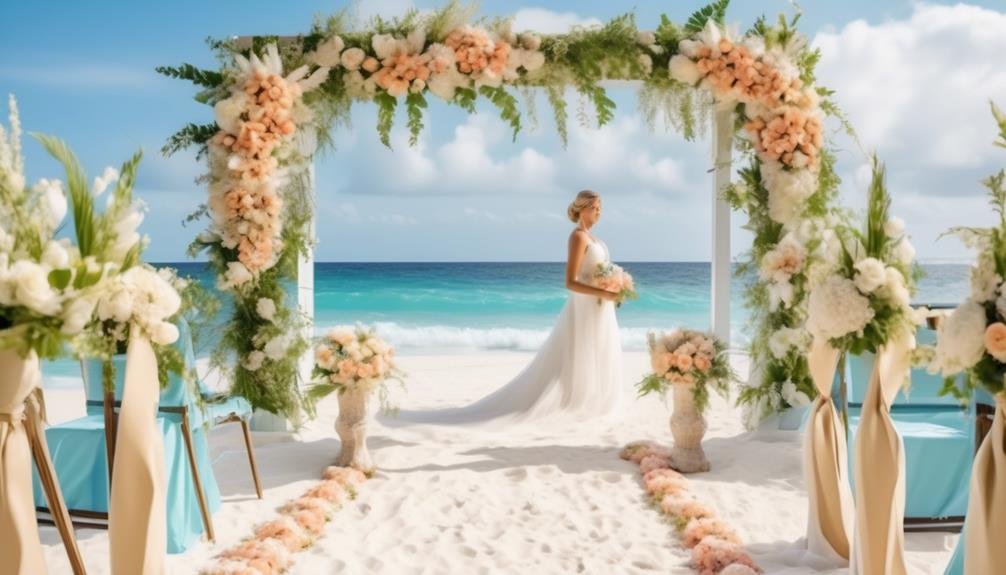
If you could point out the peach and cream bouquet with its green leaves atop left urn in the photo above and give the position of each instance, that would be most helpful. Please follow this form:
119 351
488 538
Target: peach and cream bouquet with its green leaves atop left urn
351 359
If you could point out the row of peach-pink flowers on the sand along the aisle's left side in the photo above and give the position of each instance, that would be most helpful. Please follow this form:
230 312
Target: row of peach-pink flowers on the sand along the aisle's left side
269 550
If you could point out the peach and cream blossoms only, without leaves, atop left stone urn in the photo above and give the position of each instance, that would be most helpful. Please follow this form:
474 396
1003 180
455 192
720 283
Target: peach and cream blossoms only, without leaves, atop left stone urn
351 357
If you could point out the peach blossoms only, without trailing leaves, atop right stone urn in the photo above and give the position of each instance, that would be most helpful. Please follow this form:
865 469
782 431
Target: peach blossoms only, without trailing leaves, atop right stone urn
684 356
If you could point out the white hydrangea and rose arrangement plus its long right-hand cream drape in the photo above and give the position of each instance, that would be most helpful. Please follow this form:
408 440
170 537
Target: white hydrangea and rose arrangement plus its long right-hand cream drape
864 308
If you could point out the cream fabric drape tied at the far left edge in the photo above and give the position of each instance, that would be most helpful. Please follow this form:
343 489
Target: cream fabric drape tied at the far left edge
21 547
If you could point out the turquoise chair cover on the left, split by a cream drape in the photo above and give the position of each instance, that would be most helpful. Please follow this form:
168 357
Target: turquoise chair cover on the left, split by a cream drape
79 453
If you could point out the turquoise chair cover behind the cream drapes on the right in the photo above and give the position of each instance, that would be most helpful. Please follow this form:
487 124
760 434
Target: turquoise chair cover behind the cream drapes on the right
939 438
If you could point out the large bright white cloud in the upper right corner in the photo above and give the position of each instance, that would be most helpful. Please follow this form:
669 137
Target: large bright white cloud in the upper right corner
918 89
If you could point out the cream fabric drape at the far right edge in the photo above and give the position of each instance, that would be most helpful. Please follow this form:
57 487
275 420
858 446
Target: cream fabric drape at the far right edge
985 531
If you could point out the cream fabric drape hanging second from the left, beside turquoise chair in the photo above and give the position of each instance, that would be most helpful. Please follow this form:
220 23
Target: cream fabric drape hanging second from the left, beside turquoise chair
137 508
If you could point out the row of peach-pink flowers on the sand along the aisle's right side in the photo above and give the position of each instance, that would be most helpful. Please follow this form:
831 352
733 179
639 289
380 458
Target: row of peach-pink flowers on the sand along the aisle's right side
717 548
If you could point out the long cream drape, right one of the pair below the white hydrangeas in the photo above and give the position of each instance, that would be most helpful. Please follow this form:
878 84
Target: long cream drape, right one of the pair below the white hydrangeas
879 545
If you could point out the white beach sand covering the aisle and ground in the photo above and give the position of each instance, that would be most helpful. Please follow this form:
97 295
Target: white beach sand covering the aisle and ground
542 499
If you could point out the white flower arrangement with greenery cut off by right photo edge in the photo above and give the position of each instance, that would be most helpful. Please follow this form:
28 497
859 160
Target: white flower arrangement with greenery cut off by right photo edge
973 339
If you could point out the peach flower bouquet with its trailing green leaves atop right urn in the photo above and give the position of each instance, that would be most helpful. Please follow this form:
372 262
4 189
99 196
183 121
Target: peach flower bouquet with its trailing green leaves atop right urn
688 357
